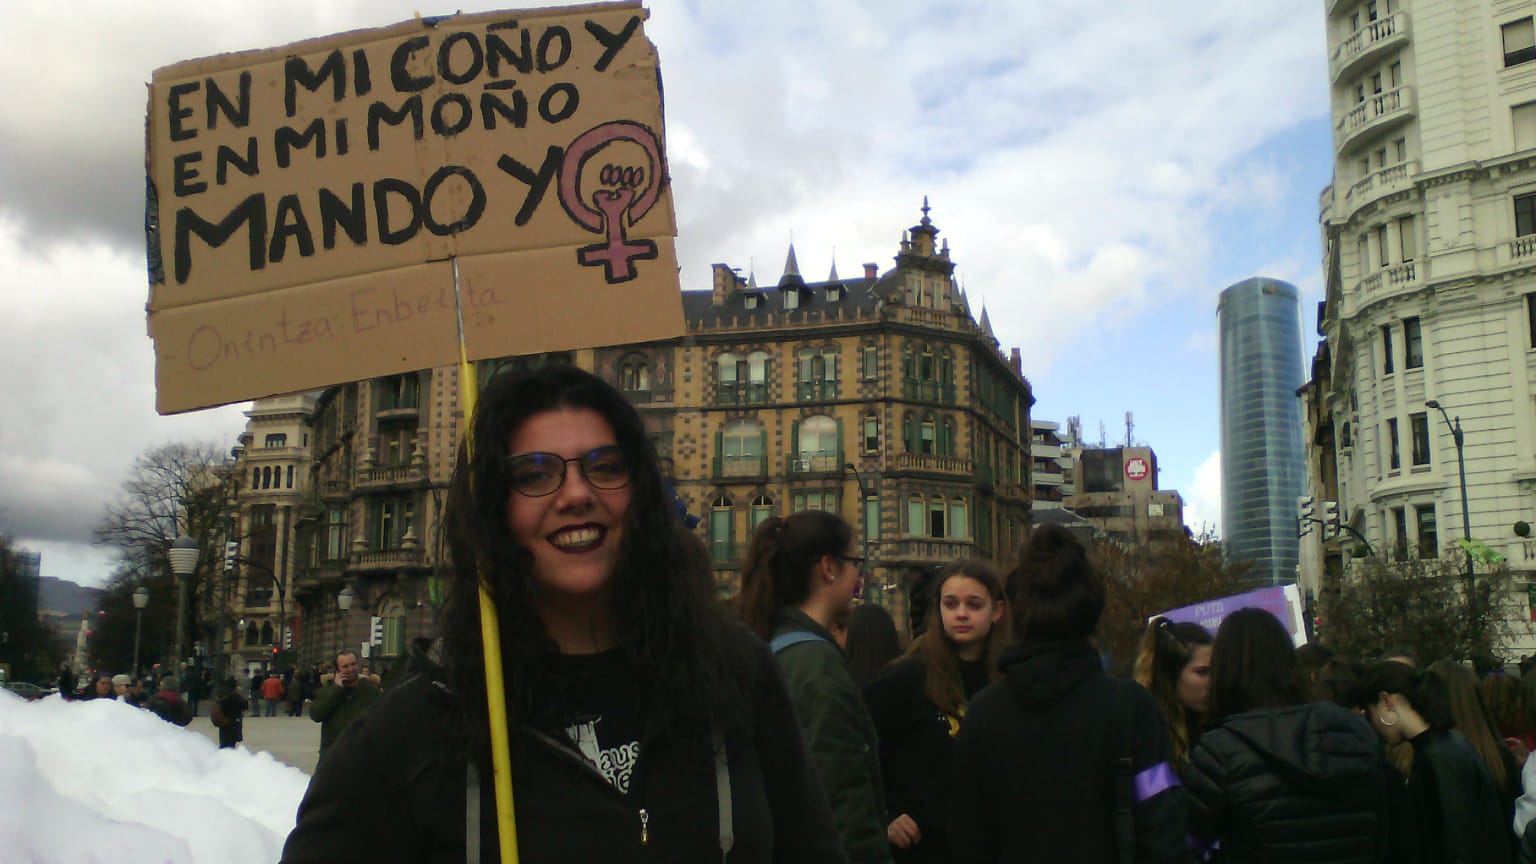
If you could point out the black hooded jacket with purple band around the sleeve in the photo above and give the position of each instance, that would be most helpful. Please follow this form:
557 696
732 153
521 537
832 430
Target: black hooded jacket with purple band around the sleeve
1034 765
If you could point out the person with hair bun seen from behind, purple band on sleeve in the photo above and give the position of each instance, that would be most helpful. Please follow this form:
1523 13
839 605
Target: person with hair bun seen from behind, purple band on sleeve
1059 762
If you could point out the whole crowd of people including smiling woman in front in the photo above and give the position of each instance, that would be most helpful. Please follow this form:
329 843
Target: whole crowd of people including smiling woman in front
795 723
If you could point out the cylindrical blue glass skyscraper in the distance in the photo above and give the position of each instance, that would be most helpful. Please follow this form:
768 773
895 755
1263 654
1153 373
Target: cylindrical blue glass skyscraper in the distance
1262 457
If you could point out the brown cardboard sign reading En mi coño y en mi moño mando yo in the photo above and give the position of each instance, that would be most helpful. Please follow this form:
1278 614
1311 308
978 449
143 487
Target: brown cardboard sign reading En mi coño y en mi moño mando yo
310 204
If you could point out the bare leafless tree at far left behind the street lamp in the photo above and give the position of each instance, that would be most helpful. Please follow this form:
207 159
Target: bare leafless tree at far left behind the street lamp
174 490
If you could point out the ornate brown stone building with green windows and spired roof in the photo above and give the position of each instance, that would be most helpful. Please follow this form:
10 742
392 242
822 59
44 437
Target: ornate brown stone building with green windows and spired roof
879 397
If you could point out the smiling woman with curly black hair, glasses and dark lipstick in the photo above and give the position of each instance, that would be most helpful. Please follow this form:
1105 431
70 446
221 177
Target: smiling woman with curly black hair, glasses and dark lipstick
644 723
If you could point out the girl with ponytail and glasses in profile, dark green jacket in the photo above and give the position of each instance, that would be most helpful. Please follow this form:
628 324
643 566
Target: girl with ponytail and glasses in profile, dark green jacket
801 577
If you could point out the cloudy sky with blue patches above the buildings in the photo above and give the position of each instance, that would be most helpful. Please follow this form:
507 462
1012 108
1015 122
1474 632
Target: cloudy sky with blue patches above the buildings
1101 170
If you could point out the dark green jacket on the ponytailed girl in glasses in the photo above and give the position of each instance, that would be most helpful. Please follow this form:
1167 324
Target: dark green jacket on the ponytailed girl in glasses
839 734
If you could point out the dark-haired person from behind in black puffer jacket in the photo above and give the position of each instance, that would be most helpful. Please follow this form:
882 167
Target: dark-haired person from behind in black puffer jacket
1276 777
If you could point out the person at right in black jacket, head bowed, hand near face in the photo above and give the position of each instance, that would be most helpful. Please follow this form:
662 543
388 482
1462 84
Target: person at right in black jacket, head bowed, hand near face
1454 802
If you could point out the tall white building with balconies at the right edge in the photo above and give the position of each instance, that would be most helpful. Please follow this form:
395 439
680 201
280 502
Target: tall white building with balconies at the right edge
1431 279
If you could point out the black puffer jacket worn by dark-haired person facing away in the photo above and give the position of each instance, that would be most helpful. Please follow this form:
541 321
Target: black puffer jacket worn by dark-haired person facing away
1300 783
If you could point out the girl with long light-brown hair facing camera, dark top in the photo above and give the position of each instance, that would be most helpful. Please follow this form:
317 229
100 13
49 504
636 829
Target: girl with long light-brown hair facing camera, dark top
918 705
